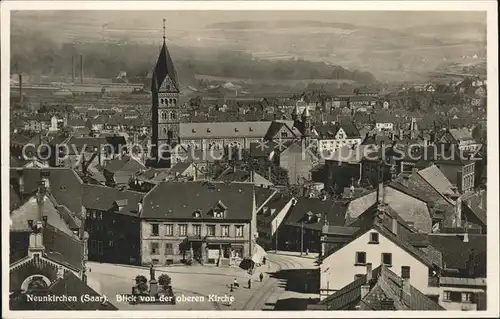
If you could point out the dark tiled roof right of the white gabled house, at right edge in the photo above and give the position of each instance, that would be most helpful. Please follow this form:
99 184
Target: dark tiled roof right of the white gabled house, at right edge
456 252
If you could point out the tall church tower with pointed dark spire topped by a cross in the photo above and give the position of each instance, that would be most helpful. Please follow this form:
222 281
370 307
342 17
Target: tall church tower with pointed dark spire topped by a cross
165 112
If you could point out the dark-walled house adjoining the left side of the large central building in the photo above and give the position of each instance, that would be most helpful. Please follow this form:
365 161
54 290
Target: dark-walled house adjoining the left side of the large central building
113 224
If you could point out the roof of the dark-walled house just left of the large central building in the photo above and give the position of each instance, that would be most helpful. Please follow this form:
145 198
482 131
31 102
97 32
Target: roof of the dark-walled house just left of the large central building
103 198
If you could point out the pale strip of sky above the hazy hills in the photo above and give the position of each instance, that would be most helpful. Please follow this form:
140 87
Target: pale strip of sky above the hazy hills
187 20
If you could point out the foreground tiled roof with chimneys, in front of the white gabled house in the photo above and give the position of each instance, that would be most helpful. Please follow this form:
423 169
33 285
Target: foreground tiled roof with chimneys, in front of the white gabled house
378 289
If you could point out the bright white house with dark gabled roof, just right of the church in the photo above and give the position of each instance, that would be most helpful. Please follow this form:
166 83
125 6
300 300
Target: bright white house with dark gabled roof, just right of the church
331 137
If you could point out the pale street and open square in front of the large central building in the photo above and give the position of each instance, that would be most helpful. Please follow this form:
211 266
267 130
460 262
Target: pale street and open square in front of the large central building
201 287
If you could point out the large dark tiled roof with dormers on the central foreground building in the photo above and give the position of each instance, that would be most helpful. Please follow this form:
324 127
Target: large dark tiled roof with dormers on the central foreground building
179 200
